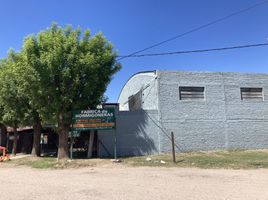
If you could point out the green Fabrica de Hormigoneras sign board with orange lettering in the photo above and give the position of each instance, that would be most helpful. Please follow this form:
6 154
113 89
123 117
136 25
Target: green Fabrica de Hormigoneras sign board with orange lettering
99 119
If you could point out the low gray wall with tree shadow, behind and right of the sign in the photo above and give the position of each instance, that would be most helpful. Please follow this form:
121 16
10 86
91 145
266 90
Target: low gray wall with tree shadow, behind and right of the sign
136 134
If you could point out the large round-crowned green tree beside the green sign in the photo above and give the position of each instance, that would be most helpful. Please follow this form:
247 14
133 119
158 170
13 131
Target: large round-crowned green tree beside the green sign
73 70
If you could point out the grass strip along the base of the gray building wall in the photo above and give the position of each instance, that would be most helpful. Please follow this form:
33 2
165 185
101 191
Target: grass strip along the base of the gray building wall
238 159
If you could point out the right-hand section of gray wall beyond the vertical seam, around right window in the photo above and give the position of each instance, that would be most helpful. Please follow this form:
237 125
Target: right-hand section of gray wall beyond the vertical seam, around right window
247 121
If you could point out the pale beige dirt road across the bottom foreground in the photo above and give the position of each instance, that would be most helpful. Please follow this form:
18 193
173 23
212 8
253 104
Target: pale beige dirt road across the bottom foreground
115 182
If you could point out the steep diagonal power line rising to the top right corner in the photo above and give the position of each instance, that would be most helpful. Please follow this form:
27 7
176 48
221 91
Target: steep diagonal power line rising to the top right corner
196 29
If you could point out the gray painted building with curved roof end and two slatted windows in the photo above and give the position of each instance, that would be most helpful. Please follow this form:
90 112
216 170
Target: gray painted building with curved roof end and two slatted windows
206 111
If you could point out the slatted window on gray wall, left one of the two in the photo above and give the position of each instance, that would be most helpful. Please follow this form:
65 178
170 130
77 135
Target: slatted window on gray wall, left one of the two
192 93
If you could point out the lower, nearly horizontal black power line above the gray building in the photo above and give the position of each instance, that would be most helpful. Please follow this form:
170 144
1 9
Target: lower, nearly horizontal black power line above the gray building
199 50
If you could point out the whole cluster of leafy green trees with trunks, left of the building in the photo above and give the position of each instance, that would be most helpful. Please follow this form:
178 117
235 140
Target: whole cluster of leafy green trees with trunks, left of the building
57 71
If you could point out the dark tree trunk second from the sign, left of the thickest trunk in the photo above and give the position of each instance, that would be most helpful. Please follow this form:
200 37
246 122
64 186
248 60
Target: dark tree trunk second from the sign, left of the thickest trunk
36 138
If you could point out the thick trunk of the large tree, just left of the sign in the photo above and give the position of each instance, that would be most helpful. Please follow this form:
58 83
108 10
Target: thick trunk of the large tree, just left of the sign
63 150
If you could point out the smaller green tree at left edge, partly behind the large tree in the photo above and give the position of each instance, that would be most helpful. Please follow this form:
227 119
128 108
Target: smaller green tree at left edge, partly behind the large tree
16 107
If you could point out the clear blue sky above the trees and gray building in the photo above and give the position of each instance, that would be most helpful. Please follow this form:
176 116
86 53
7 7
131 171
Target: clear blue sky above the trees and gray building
132 25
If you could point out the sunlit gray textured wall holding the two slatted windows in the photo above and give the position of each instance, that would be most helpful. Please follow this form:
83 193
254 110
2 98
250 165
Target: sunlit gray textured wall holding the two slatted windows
220 121
